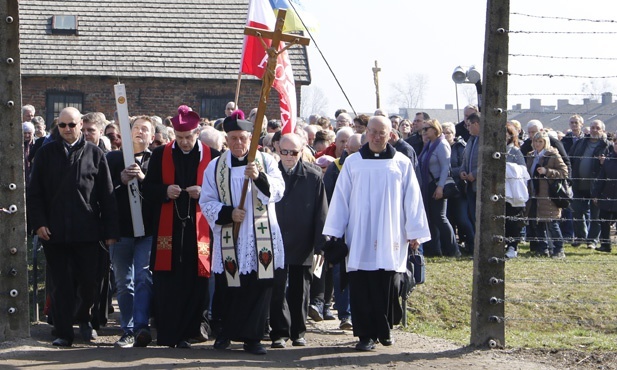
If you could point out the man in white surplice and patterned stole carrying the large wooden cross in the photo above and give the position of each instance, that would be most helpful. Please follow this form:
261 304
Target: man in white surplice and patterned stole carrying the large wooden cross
242 295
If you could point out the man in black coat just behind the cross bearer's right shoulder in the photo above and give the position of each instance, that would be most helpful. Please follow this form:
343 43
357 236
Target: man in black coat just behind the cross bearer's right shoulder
301 215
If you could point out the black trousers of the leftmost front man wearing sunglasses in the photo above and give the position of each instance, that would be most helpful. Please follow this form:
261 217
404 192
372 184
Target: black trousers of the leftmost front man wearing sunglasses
67 264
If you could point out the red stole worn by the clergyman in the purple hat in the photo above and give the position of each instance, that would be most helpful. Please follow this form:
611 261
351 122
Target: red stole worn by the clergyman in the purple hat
165 231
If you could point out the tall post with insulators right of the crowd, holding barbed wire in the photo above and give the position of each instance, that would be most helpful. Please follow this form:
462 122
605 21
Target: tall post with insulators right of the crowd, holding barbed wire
487 310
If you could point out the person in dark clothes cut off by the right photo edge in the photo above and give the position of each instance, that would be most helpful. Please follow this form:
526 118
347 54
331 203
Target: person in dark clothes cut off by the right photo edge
604 195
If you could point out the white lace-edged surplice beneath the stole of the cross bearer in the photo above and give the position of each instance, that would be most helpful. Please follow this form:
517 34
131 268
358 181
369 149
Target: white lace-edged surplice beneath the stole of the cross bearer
211 205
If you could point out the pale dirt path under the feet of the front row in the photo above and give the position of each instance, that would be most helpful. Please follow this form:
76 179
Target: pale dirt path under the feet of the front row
328 347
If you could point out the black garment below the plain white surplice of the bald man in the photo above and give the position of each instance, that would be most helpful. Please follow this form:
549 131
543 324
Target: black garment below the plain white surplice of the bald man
371 295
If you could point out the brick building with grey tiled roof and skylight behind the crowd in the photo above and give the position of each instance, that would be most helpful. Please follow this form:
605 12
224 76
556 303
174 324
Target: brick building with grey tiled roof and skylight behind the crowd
167 53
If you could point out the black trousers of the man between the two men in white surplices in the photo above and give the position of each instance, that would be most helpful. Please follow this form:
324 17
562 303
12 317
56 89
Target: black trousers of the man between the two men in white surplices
290 300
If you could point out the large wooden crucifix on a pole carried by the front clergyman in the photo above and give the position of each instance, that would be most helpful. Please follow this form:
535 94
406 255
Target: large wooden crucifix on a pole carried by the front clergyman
267 80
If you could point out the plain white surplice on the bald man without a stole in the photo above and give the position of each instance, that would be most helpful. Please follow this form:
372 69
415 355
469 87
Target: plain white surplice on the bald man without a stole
377 204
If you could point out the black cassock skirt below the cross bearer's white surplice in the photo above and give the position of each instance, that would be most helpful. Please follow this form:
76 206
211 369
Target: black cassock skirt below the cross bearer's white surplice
244 310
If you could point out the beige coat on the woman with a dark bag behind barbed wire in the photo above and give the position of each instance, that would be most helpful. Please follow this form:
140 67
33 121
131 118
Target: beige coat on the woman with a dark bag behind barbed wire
556 169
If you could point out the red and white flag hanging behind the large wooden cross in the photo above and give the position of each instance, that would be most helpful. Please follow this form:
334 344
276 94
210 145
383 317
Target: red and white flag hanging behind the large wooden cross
255 59
